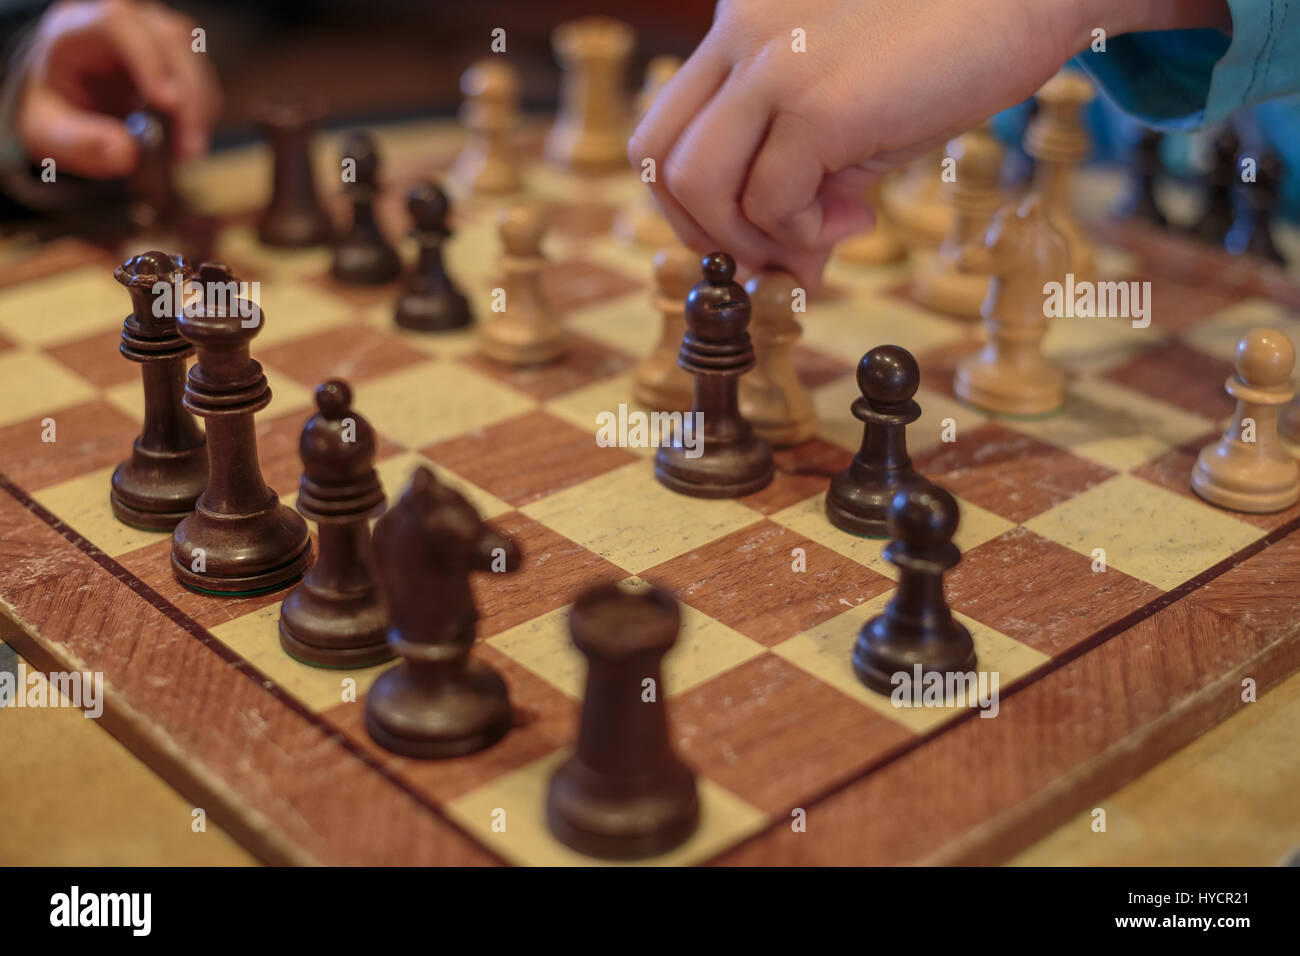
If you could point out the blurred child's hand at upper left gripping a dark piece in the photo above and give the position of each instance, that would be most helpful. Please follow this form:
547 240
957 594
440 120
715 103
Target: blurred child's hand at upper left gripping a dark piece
90 64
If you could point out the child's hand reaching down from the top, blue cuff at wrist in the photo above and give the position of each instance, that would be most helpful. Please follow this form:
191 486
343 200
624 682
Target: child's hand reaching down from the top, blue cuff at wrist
766 153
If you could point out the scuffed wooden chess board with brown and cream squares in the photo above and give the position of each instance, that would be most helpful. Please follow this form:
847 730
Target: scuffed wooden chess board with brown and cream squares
1103 674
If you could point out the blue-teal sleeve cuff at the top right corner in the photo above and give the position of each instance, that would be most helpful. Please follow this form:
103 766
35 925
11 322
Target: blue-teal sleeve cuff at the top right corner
1185 79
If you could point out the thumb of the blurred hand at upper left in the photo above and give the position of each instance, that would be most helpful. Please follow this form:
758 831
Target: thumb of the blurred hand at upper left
80 142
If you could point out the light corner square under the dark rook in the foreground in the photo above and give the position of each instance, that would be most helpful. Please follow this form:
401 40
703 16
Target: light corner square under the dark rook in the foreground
725 820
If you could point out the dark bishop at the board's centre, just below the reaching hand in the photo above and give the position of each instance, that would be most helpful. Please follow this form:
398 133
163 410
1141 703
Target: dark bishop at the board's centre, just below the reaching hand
721 457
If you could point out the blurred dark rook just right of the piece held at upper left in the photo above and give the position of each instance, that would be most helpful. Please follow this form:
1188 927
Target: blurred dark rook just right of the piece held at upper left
294 217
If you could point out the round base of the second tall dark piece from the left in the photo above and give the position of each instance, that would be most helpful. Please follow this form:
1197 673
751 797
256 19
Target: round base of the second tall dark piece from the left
250 553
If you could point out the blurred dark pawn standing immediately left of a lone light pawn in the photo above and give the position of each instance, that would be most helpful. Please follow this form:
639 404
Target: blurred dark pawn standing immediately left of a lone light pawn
431 301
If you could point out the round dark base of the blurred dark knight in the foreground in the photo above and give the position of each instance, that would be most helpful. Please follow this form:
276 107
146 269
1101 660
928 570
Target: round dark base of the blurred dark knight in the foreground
432 719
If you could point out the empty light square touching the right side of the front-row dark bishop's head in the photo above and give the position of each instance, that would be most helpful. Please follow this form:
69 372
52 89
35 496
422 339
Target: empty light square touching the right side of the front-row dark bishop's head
427 404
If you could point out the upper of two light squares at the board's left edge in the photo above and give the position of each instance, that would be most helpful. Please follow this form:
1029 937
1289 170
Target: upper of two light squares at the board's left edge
73 305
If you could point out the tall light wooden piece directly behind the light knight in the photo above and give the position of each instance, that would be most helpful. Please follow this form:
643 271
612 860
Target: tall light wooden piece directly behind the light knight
1058 140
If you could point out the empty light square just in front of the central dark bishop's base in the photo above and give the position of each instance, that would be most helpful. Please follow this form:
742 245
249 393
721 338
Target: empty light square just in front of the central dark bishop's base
629 518
